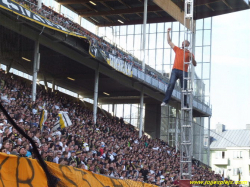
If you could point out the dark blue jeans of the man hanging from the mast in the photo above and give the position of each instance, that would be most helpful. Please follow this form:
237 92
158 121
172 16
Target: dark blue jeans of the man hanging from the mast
175 75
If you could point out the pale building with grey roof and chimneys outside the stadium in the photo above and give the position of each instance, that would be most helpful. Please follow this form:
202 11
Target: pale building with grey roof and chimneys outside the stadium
230 152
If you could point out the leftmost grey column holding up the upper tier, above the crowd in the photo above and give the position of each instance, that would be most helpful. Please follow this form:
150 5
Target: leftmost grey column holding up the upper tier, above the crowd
35 69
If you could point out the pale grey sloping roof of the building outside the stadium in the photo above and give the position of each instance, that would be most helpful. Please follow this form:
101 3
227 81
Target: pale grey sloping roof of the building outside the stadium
230 138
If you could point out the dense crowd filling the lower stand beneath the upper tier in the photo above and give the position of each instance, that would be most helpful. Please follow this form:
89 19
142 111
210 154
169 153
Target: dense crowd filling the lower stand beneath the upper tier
109 147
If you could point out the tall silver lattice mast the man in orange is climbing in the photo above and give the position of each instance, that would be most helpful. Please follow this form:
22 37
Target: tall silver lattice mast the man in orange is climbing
186 143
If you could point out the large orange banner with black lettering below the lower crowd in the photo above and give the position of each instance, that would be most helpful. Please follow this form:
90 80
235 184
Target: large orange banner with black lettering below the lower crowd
20 171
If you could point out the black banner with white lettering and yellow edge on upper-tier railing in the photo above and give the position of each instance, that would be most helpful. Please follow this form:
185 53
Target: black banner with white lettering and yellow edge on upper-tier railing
20 10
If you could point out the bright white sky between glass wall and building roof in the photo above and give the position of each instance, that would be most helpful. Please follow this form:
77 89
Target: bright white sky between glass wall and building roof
230 78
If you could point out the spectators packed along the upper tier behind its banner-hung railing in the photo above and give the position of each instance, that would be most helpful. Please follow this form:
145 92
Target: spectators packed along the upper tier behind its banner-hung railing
62 20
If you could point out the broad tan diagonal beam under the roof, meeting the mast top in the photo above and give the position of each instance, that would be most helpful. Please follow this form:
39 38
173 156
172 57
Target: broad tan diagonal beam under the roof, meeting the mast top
172 9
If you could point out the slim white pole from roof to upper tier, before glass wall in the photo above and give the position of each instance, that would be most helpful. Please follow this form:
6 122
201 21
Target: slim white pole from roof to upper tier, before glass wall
144 33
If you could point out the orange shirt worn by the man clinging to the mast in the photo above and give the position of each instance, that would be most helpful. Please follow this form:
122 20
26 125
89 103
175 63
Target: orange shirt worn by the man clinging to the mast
178 61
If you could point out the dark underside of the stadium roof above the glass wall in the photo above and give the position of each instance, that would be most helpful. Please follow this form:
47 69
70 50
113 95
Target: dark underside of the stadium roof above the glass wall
130 12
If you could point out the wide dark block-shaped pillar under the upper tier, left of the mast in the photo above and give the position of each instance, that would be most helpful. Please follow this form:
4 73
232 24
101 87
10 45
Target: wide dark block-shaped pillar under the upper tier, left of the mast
152 124
